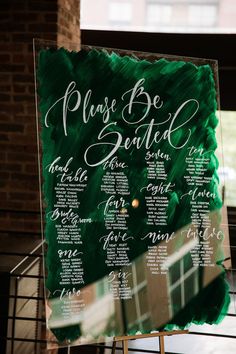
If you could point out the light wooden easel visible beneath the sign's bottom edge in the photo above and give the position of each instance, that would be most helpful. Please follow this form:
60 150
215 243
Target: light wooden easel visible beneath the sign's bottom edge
160 335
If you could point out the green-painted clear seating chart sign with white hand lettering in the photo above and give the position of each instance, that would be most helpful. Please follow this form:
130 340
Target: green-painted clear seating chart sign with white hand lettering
130 188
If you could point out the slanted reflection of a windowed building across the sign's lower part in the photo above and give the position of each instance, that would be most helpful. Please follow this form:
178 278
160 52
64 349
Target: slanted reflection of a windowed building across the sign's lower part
154 300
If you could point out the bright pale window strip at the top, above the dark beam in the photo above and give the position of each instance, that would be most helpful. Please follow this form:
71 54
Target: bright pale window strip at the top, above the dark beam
179 16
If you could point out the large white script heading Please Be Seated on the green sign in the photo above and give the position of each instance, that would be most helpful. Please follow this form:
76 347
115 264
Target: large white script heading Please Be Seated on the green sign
110 137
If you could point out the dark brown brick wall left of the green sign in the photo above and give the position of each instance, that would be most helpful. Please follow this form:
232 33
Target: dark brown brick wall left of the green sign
20 22
